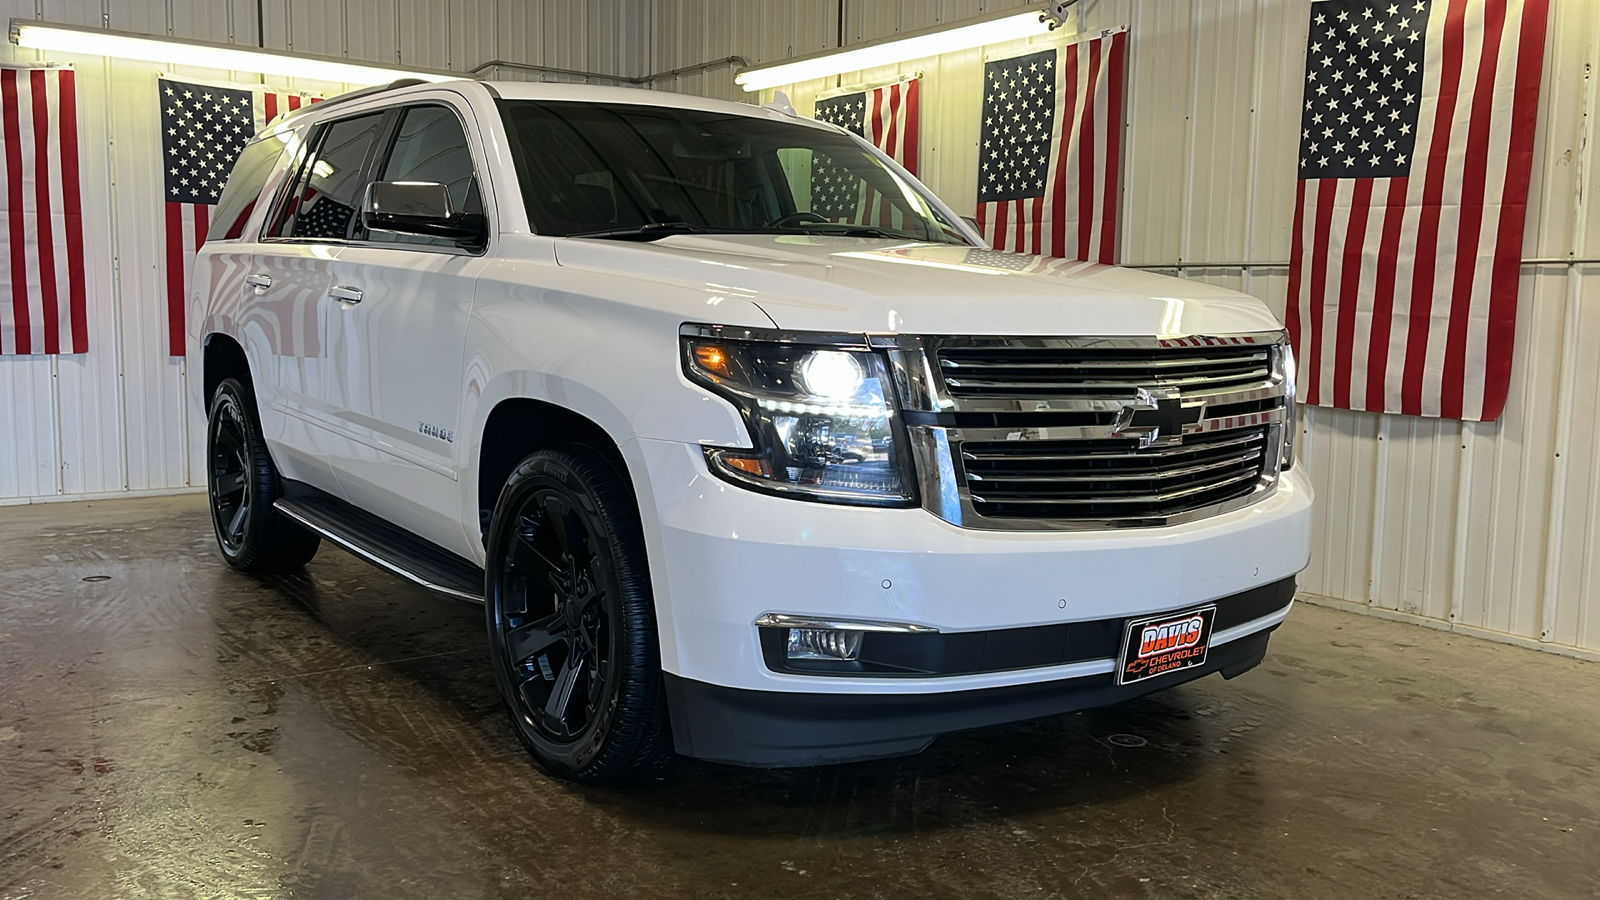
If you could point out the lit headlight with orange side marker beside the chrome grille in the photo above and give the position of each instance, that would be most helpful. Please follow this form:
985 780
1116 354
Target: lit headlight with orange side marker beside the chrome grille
822 419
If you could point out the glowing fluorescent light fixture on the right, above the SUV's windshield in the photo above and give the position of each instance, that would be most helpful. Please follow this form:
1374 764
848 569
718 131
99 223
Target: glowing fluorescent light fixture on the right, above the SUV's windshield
903 49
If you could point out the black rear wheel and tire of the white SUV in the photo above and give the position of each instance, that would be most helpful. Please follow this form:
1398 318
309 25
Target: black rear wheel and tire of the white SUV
244 484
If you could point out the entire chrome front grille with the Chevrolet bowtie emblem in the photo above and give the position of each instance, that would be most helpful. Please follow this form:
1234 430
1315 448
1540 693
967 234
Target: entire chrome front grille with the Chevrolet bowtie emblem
1097 432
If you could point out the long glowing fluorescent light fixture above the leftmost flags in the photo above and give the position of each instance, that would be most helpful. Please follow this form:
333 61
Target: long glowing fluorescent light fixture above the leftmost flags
207 55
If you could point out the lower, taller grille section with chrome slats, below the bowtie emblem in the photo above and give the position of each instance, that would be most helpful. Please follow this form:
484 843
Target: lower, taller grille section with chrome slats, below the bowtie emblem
1113 480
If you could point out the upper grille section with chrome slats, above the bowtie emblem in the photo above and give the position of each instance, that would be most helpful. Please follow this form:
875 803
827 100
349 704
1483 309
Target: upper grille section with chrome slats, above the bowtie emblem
1079 372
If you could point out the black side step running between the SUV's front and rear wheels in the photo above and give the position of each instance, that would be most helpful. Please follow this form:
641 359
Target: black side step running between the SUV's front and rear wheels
383 545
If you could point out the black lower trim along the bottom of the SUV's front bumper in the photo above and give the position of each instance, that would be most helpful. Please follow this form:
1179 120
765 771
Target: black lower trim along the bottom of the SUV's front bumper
774 729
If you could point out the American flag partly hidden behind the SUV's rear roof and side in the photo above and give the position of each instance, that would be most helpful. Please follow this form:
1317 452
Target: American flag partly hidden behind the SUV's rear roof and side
204 127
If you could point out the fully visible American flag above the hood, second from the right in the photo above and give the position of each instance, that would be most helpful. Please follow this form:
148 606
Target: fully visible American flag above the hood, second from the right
1050 150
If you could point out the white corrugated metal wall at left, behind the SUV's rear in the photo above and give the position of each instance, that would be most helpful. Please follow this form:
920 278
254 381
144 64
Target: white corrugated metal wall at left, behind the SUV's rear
114 420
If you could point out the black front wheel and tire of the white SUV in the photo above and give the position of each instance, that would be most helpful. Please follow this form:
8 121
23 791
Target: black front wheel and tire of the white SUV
572 619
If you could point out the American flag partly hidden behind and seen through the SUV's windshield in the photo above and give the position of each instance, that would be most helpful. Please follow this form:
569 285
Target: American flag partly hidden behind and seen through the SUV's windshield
887 118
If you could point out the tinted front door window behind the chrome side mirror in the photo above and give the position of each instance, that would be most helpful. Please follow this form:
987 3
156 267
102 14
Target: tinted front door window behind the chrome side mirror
431 147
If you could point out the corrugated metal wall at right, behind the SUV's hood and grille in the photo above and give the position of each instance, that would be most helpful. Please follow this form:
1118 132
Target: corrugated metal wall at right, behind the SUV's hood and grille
1487 528
